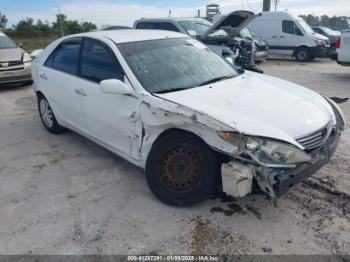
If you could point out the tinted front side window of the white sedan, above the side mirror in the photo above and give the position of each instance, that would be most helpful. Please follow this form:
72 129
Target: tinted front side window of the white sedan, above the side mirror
99 63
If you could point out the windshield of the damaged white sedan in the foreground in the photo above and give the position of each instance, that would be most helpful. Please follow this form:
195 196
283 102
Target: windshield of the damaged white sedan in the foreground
171 65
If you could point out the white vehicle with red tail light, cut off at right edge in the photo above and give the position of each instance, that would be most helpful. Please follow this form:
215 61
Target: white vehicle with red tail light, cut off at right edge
342 56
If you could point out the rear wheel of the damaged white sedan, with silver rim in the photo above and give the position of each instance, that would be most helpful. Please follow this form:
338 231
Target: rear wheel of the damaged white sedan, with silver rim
48 117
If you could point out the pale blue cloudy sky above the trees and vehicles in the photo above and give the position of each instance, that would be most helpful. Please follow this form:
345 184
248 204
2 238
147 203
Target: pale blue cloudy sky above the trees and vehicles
122 12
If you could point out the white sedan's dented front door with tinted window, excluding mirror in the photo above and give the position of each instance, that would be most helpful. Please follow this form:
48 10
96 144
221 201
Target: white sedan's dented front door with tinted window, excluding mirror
110 118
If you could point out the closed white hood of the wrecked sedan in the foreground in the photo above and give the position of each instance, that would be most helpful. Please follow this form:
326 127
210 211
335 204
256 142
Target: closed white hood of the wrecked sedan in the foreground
259 105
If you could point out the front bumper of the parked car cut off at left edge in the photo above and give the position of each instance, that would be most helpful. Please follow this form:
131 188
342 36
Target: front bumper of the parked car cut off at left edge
16 74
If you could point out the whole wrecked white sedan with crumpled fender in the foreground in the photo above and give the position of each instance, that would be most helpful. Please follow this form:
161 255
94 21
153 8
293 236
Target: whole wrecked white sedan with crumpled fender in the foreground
193 121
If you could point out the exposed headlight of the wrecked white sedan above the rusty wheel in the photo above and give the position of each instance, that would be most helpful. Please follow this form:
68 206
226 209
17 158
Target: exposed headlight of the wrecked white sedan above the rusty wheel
266 151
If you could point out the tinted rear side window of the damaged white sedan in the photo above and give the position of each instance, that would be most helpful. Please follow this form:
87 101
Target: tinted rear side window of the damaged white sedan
65 57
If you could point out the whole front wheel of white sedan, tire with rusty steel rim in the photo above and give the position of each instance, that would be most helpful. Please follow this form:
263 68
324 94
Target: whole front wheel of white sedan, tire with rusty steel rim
181 170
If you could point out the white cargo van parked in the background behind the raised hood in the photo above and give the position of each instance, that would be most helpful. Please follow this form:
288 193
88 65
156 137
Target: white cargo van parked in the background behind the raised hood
289 35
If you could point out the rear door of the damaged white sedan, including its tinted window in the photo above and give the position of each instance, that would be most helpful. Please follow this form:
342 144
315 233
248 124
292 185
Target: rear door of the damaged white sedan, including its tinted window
58 80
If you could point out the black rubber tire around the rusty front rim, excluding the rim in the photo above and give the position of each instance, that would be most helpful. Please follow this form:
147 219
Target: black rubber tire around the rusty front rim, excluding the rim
209 170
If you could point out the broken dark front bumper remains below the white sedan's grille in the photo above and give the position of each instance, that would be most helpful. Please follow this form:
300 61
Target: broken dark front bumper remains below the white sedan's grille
289 178
